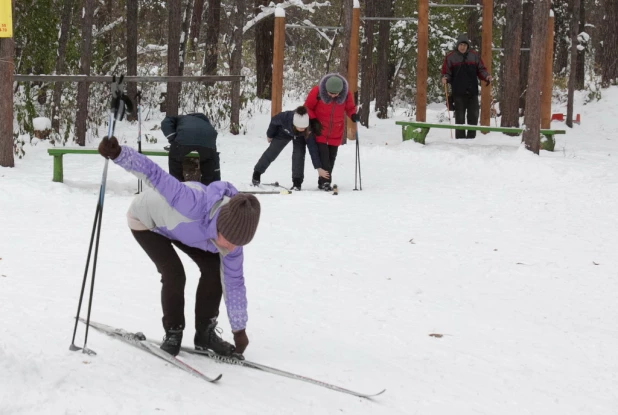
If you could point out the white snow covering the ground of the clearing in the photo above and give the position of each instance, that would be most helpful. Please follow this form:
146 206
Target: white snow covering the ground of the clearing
509 256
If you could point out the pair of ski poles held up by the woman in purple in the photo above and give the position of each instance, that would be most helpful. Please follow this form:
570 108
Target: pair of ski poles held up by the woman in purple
119 104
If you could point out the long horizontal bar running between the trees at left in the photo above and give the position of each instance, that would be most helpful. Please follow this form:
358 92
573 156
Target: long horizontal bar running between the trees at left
96 78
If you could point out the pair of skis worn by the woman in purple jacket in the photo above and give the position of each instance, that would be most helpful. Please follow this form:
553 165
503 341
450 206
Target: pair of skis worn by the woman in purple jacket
139 340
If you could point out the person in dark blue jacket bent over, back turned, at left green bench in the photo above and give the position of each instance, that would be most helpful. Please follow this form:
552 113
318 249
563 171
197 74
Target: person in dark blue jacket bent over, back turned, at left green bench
192 132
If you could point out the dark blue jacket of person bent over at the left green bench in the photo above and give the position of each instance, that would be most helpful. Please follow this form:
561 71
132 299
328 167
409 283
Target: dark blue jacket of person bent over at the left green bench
190 130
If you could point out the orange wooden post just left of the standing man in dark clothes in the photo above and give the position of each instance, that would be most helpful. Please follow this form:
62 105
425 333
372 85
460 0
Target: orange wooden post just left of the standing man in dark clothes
422 61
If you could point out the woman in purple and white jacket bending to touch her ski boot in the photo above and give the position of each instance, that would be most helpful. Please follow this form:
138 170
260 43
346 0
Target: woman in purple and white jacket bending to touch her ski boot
210 224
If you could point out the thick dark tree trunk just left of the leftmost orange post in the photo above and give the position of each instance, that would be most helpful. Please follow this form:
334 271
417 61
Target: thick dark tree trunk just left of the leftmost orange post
264 37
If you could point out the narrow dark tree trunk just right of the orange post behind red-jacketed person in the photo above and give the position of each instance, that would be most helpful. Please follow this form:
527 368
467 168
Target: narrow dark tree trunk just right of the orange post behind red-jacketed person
367 65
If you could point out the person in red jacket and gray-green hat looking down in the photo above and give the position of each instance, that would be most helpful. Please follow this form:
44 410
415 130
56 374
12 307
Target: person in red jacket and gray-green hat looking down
327 104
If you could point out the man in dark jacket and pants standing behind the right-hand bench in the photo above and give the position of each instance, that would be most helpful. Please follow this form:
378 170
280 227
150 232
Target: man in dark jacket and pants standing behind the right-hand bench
461 68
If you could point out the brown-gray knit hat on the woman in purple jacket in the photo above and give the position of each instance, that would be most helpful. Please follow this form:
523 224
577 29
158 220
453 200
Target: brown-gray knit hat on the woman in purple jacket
238 219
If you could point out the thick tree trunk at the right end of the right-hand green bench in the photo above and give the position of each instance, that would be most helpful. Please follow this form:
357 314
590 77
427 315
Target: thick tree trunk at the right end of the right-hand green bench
512 53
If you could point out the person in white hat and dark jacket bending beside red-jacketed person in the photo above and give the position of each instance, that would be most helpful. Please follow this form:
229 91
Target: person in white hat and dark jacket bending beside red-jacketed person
285 127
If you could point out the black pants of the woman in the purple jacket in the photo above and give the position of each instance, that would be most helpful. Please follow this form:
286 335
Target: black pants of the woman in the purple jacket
209 291
